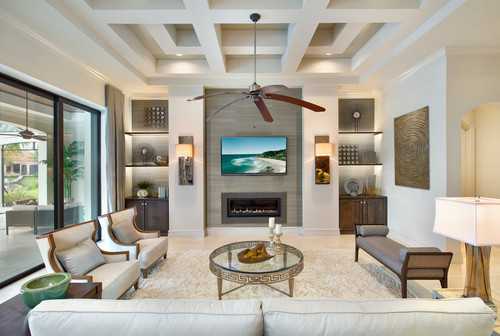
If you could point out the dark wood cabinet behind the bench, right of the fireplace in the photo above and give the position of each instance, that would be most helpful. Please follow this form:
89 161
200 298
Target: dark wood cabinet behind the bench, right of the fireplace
361 210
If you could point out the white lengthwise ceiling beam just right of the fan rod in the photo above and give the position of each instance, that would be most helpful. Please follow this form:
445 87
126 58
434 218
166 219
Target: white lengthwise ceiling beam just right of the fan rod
301 33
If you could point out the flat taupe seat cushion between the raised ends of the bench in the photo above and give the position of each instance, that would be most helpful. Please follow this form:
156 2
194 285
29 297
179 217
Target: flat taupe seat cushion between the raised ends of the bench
384 250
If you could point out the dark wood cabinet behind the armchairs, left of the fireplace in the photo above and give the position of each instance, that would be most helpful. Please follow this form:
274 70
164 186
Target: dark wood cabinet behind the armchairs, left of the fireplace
152 213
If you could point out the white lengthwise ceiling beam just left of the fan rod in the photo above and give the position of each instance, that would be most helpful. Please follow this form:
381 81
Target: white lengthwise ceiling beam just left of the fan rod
208 34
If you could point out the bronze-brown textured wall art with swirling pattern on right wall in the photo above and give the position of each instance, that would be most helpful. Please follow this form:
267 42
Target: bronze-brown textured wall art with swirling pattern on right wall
411 149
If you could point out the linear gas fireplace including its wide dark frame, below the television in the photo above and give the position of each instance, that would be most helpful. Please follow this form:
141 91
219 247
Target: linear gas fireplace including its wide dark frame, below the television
241 208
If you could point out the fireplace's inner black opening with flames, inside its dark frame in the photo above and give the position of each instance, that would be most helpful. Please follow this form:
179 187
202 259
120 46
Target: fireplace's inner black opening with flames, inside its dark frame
254 207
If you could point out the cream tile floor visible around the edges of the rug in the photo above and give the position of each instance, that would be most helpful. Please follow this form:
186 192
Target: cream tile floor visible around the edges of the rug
421 288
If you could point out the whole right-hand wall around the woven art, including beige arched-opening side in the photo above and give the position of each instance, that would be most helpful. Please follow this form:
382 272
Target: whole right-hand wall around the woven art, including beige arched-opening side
452 82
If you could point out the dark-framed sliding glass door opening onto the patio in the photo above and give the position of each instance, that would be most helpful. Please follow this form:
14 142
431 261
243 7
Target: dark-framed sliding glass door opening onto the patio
49 171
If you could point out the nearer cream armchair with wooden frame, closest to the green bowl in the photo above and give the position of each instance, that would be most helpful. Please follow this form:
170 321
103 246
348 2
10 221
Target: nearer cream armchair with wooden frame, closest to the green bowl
73 249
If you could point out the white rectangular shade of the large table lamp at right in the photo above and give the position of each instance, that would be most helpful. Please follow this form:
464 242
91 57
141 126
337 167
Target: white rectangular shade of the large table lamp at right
464 219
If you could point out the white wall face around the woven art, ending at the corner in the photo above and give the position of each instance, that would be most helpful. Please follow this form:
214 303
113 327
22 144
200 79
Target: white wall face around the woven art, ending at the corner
411 210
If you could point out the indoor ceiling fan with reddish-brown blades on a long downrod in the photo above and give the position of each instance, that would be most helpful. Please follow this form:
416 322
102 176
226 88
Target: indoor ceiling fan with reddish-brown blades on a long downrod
258 93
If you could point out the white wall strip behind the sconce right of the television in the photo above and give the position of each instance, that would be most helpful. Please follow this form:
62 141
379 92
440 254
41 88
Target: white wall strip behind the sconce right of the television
320 201
